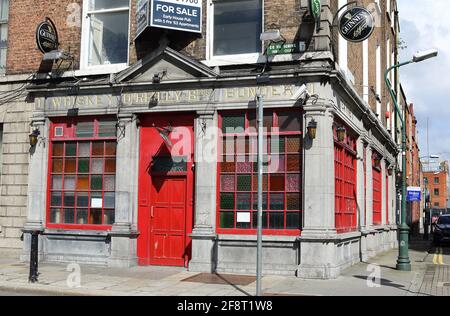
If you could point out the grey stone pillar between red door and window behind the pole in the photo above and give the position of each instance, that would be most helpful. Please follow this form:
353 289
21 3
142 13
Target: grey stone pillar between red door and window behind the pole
204 232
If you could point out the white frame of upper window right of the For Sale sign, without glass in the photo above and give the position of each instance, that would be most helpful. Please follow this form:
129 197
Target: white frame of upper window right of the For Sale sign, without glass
224 60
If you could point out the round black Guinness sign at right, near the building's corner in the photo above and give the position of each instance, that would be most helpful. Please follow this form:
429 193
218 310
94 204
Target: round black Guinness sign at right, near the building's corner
356 24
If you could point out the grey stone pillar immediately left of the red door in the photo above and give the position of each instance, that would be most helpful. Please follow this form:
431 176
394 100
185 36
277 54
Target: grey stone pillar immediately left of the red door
124 233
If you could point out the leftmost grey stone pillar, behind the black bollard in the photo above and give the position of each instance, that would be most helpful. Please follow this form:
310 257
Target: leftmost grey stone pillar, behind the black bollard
37 176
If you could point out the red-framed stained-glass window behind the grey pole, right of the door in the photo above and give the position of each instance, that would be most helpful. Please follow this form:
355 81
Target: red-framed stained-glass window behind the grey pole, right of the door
238 176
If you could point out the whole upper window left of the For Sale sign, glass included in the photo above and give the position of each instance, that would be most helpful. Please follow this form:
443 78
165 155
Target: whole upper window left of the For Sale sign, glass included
105 32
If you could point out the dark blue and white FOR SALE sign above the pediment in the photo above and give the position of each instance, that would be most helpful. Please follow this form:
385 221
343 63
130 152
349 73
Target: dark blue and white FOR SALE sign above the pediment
181 15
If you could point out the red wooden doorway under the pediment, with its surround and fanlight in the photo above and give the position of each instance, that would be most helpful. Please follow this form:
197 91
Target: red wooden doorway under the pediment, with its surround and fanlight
166 186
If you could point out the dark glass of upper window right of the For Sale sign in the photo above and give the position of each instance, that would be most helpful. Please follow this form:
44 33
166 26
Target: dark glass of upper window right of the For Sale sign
236 27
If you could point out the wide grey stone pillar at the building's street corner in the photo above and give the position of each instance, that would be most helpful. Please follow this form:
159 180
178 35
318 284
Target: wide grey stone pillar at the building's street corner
318 252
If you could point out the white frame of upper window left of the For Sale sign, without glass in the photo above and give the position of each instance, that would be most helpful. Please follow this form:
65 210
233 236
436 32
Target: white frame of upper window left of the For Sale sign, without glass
85 41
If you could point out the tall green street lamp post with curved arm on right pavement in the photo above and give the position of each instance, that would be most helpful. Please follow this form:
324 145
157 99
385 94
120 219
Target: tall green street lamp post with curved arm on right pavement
403 262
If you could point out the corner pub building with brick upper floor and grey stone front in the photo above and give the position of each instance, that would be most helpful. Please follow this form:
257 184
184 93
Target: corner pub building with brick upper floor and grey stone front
108 184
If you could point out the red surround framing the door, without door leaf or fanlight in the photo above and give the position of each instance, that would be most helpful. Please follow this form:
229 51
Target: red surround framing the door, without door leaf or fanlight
148 144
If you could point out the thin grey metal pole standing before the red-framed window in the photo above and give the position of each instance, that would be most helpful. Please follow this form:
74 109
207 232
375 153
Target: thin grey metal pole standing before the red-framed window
260 116
